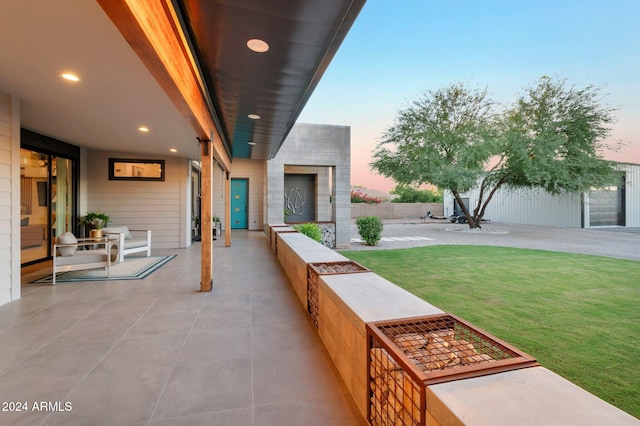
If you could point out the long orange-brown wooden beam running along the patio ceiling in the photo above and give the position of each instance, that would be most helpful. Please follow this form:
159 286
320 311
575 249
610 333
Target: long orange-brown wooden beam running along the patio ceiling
153 31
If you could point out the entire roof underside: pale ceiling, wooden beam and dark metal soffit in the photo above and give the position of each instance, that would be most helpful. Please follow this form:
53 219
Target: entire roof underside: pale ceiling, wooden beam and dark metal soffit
118 93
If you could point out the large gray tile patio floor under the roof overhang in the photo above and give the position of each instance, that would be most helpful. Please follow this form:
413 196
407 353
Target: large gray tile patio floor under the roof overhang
158 352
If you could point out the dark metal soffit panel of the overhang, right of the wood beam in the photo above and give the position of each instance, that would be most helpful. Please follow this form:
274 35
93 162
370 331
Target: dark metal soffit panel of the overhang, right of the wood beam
303 37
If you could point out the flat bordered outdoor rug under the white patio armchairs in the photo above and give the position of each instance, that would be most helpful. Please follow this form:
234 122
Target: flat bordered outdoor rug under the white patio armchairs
133 268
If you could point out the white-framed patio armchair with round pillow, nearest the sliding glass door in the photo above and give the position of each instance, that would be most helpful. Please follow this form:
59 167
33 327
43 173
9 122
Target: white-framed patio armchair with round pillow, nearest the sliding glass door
72 254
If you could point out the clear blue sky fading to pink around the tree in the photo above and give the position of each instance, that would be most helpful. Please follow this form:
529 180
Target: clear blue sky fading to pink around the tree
398 49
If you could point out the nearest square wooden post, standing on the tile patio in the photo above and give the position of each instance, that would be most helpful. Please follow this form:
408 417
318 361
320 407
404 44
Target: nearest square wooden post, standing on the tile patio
206 158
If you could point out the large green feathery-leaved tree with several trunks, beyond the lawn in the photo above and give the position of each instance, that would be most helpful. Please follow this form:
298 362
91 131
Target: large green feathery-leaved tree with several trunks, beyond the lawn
551 137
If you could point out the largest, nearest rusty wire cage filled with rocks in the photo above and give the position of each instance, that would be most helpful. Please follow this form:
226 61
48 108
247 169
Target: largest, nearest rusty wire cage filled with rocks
407 355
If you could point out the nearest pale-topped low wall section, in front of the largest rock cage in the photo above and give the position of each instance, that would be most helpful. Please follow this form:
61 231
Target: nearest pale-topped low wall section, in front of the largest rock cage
530 396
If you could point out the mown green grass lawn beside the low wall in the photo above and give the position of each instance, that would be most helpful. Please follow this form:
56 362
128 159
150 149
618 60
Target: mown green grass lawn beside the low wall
578 315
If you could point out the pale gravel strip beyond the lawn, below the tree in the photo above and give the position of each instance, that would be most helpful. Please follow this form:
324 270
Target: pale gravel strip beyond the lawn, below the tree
618 242
